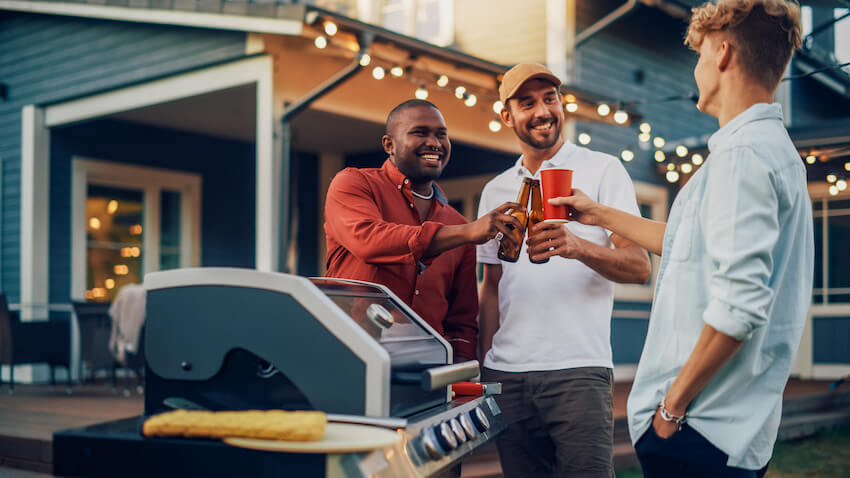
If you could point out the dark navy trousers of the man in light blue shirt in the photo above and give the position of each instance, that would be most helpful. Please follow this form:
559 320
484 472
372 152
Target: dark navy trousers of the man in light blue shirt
686 453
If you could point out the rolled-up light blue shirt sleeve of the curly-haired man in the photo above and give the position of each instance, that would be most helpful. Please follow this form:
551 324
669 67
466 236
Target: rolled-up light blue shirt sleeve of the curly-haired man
739 217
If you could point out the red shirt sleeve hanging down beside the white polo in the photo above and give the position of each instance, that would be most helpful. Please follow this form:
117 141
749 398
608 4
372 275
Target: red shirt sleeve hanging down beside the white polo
461 323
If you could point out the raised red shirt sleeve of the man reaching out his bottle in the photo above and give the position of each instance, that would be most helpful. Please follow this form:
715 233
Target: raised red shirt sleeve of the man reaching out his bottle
353 219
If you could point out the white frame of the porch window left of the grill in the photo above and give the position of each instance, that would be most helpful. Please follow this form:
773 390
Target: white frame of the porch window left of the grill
151 181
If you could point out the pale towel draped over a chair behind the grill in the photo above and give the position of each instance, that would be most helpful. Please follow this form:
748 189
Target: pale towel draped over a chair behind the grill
128 316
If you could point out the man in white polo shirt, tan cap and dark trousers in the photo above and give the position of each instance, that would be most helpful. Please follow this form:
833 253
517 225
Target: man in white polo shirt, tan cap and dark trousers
545 328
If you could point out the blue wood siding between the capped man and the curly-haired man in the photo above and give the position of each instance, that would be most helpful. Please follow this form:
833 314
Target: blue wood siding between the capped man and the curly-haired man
608 64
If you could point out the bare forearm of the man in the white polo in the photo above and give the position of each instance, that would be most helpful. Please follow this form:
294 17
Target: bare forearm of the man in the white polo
629 265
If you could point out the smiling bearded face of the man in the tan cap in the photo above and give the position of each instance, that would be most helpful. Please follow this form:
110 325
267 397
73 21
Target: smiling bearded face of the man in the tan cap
535 113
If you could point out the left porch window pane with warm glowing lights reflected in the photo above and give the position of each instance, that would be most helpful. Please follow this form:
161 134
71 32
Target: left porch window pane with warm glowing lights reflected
114 219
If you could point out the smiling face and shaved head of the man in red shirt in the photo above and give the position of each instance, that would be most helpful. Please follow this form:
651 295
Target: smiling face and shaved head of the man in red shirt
417 142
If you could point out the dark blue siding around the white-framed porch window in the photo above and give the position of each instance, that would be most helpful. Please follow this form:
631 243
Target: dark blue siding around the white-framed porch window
227 169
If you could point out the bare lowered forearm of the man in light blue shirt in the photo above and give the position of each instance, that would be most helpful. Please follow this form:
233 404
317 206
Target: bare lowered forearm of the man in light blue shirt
713 350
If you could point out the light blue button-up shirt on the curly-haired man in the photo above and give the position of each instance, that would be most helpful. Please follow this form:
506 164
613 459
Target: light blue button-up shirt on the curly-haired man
738 255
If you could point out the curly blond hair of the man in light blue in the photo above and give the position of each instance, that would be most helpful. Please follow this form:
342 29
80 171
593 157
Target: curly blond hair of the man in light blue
764 32
